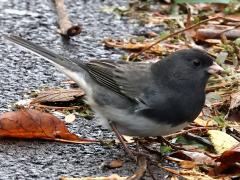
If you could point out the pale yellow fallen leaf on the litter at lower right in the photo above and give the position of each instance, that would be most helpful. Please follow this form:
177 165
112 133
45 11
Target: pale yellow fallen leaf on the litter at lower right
221 141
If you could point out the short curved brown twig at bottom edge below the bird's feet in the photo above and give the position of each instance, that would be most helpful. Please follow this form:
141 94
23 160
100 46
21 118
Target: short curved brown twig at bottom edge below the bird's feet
142 162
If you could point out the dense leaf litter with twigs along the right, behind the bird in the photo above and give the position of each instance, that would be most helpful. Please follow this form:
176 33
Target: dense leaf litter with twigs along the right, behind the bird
199 26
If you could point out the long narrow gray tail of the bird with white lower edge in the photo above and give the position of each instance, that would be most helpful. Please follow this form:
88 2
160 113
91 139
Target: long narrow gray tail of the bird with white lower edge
57 60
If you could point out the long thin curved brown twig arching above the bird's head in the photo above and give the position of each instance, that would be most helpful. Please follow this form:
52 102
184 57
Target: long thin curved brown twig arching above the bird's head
180 31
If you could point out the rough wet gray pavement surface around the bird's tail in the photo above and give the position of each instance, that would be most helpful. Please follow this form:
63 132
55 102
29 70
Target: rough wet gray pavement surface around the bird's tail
21 72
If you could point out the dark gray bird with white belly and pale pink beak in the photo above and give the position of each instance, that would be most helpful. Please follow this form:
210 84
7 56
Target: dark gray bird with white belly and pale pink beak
141 99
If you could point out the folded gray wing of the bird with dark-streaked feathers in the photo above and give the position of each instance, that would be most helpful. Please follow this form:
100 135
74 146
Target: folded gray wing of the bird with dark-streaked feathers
126 78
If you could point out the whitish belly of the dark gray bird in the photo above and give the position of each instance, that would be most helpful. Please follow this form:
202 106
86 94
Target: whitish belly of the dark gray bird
132 125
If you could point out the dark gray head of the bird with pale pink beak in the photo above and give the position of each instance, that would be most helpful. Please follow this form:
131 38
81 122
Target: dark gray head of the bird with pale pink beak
188 67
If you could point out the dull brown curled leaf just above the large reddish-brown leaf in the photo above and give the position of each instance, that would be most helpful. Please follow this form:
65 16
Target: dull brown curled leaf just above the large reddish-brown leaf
58 95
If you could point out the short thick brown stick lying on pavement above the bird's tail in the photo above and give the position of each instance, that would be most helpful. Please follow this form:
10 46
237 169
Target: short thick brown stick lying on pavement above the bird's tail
66 27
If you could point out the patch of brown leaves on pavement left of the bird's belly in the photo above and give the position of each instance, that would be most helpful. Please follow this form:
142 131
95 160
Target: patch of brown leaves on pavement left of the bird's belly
31 119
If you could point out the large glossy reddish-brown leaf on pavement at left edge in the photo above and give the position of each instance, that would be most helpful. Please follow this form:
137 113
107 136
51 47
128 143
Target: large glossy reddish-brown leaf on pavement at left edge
35 124
